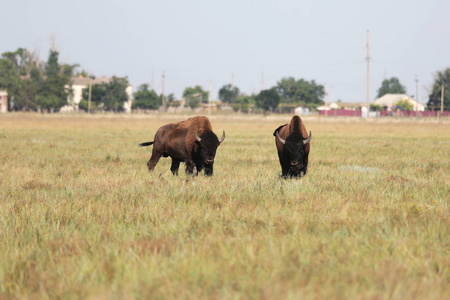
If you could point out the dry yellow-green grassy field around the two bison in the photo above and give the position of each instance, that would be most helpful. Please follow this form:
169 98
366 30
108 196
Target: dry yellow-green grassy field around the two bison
80 216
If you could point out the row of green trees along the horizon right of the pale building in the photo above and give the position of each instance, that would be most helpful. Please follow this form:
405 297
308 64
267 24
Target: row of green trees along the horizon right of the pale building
287 94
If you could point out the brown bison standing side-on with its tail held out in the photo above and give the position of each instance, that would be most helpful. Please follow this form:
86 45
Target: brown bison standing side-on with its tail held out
191 141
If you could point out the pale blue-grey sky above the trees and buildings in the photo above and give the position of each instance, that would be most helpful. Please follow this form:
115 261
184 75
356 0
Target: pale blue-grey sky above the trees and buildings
253 43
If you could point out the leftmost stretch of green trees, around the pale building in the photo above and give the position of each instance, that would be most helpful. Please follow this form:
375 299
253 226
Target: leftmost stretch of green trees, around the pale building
33 85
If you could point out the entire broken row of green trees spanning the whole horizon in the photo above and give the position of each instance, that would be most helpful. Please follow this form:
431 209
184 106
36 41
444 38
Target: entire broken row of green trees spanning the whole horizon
39 86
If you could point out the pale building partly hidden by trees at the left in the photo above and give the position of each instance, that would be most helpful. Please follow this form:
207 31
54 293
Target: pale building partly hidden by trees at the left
80 83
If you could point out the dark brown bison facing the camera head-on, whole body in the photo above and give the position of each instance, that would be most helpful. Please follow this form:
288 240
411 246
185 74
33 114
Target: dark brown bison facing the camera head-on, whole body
292 143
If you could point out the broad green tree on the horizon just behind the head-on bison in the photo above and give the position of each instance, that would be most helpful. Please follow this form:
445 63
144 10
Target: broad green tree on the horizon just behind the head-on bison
300 92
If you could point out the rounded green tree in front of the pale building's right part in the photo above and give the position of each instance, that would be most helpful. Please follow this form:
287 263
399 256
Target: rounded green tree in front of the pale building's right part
115 94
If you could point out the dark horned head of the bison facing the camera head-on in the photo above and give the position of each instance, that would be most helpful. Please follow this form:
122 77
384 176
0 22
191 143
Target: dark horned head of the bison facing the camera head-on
295 150
